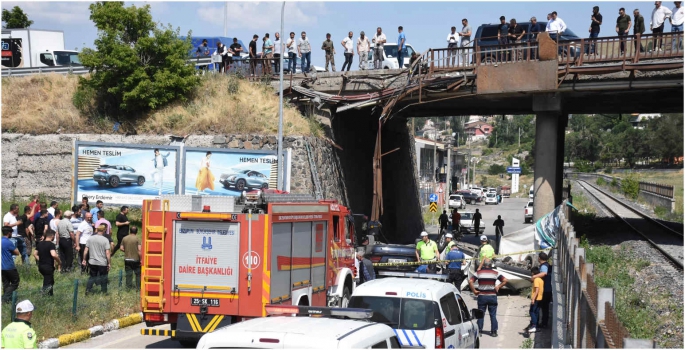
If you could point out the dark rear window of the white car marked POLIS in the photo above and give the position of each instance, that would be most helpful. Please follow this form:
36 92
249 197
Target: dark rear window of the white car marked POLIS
398 313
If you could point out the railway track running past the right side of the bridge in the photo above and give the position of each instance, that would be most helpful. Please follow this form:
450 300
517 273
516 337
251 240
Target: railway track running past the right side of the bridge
664 239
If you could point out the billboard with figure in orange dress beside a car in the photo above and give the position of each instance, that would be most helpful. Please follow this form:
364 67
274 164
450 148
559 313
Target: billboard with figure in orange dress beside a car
223 171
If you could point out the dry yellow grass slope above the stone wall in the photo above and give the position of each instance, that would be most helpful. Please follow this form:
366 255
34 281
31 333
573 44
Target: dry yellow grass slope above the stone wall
221 105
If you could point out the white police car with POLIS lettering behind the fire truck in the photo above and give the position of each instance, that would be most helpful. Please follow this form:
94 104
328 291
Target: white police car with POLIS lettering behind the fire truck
423 313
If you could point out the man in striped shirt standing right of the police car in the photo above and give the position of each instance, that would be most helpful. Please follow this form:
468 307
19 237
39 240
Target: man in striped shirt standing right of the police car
487 278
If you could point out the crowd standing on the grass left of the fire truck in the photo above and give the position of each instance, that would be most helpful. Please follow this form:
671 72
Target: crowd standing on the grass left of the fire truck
79 239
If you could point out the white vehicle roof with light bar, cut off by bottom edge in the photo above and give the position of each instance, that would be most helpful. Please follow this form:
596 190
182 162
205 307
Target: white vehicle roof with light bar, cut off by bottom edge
325 328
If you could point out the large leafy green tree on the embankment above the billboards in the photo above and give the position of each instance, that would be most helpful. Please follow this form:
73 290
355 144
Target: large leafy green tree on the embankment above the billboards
137 65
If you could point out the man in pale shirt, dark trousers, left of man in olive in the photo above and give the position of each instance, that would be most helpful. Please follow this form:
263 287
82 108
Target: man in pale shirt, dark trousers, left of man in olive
98 250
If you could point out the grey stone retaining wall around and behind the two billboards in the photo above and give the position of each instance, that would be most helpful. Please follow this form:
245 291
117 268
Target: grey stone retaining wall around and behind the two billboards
43 163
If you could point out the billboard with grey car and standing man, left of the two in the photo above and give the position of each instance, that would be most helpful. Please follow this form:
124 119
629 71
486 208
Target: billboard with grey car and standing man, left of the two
124 174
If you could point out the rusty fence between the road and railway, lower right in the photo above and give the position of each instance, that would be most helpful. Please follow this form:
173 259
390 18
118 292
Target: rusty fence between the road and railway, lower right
584 315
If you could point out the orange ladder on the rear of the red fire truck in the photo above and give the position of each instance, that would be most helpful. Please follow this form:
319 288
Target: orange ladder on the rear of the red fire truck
153 280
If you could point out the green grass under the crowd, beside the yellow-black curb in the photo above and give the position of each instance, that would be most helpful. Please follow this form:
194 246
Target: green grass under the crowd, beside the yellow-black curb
53 315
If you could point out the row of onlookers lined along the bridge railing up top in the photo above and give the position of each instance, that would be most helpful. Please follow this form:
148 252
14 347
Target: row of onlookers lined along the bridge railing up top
507 32
